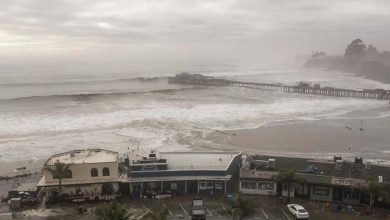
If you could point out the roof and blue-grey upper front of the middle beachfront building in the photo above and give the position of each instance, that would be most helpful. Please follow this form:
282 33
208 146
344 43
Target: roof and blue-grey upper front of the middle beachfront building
189 164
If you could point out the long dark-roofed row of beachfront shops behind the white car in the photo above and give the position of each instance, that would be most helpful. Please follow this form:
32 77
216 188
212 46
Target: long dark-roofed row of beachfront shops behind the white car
334 180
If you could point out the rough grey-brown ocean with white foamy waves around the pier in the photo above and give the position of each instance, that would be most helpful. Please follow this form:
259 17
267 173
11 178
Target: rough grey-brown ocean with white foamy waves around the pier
43 114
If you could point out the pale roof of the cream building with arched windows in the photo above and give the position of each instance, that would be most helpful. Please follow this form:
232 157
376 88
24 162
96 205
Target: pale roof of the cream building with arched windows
84 156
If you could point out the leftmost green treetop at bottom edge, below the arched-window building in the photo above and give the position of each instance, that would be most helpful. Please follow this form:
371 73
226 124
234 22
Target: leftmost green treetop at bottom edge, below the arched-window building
112 211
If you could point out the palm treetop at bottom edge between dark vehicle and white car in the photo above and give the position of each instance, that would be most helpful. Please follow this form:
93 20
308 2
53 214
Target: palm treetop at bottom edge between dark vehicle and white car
243 207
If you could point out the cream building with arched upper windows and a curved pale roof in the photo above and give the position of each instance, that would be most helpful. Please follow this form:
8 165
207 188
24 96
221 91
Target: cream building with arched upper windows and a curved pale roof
91 173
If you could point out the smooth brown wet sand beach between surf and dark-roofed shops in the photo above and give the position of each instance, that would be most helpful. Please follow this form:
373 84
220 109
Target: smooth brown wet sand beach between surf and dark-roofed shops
318 138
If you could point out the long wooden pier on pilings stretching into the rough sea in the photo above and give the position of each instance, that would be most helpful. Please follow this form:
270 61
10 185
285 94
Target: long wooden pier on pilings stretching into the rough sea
303 88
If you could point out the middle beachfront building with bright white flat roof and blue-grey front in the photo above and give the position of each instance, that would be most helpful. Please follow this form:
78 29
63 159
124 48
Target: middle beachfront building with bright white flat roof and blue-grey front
178 173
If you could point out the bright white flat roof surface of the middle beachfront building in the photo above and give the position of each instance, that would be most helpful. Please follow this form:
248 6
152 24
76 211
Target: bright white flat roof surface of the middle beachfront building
194 160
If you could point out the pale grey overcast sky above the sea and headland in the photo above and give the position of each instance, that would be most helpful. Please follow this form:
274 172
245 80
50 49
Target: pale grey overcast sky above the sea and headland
114 35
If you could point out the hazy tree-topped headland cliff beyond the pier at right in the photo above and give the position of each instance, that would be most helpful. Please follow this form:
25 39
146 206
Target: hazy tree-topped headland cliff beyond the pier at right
358 58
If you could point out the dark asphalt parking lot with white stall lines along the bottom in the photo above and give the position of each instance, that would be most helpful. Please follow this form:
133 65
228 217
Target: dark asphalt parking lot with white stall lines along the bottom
267 208
